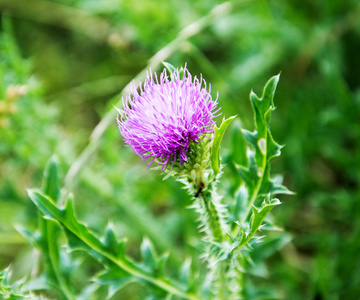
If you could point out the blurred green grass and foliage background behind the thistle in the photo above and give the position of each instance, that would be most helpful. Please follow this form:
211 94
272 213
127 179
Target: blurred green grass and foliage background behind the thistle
64 62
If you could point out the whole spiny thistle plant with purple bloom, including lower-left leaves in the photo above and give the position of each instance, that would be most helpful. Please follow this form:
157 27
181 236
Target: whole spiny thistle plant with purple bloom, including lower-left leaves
169 120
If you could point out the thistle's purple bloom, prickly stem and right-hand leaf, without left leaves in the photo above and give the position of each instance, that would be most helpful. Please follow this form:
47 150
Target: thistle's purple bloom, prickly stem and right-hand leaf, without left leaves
171 122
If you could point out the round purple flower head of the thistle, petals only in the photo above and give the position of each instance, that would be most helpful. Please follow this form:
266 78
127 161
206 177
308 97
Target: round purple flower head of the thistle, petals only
162 117
